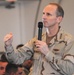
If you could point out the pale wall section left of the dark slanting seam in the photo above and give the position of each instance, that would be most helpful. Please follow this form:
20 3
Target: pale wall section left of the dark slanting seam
19 21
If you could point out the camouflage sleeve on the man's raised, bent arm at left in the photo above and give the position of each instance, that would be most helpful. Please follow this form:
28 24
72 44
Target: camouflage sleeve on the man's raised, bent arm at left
20 55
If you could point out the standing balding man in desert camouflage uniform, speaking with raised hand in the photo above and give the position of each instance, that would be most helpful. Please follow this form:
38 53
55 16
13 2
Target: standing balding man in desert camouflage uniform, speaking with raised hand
49 54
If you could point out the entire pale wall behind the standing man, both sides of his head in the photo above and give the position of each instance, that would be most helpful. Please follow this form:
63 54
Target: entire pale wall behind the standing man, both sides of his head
22 20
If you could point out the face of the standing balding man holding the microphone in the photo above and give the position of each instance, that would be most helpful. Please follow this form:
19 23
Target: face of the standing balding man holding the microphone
49 17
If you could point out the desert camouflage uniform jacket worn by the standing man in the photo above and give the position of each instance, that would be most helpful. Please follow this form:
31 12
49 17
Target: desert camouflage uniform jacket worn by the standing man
53 63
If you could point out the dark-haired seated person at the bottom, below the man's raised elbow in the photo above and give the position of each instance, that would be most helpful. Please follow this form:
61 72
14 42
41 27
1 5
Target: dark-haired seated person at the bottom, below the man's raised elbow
13 69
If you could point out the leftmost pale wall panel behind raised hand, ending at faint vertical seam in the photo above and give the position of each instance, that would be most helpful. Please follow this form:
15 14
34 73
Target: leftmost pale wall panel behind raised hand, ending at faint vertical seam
9 22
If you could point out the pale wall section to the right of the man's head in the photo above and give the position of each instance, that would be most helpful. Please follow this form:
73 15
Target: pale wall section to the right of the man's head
68 21
